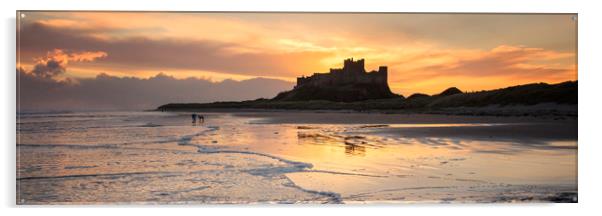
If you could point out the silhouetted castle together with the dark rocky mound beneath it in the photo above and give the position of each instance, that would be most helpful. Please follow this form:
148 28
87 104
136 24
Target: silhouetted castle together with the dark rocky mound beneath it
347 84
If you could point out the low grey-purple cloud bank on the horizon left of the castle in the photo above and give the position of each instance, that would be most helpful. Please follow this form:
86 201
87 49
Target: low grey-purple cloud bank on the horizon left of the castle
109 92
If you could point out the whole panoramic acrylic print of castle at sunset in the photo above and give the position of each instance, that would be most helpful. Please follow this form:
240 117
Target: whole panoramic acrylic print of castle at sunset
274 108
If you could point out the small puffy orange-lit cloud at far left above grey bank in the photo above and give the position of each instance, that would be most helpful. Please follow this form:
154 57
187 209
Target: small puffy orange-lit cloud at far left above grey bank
55 62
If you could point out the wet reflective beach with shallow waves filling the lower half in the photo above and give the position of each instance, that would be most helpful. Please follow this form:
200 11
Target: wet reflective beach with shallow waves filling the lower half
293 157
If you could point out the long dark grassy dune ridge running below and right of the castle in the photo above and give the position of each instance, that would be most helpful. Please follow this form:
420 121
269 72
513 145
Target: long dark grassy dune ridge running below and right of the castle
529 99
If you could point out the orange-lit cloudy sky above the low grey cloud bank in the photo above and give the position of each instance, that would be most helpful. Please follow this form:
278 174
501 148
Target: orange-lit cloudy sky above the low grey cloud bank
423 54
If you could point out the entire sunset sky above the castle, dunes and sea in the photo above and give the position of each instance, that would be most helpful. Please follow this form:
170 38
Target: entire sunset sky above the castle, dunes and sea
425 53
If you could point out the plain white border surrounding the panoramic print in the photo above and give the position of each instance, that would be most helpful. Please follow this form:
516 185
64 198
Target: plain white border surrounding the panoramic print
589 91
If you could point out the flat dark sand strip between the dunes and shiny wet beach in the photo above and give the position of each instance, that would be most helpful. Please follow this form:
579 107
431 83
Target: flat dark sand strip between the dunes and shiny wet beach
511 128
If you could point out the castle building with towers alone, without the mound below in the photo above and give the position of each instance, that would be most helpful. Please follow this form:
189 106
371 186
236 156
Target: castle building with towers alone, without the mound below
353 72
